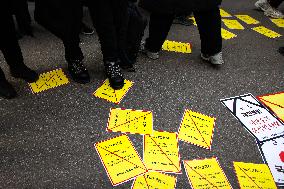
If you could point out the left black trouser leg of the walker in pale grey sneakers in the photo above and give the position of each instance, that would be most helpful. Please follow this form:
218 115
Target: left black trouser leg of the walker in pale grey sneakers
159 28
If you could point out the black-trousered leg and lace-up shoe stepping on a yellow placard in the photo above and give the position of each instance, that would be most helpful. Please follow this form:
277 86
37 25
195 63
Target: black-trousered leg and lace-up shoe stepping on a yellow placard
103 16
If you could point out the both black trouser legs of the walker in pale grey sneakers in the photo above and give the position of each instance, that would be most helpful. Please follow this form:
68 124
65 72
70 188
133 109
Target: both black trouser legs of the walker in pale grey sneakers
209 26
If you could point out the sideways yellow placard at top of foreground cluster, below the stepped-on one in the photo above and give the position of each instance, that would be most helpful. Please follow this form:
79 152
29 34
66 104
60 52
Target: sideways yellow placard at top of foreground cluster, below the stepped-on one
130 121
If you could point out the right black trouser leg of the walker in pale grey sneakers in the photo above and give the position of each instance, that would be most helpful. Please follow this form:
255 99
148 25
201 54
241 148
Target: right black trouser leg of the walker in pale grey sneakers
209 26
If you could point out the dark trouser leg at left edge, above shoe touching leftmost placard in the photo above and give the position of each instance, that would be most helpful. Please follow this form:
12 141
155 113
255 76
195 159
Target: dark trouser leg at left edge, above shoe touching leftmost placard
8 42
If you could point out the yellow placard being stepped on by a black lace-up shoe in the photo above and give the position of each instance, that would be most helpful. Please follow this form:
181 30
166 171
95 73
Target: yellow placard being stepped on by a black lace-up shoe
108 93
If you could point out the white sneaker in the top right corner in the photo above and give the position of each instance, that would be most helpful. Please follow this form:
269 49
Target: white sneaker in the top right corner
268 10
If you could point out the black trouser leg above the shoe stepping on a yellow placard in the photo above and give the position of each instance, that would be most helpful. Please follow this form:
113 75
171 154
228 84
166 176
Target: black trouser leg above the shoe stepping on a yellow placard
109 19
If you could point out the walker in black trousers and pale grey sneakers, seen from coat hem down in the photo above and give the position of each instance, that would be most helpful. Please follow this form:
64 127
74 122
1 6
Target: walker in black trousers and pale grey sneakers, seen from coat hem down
208 19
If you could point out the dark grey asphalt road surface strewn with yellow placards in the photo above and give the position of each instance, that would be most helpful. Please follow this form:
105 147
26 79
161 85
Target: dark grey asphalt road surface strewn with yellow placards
46 140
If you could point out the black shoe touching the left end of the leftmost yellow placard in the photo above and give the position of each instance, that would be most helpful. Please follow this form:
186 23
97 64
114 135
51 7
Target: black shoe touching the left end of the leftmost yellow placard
25 73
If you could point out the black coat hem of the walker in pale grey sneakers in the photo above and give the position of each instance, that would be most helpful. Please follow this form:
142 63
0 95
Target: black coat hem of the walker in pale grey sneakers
178 6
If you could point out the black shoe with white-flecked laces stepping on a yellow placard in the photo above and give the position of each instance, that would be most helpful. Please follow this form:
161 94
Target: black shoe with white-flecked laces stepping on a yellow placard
114 74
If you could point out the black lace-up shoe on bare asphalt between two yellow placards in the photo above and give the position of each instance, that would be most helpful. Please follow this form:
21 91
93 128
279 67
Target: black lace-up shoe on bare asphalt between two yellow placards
78 71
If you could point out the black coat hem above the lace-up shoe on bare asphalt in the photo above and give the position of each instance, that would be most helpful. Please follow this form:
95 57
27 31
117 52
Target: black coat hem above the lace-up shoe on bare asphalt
61 17
